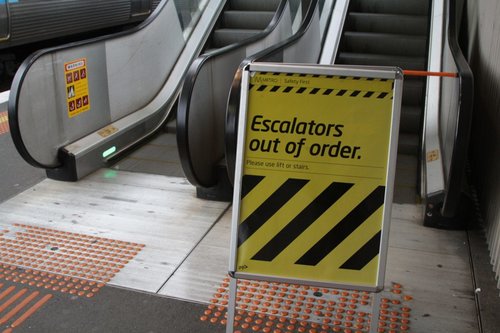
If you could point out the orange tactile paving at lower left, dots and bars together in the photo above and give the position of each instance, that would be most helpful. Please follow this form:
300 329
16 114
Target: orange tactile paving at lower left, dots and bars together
50 260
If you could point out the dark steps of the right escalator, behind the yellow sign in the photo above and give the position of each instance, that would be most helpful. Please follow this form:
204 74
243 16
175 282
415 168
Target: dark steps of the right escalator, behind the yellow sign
394 33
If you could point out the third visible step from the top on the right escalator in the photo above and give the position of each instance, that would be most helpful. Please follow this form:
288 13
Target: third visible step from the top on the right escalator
384 43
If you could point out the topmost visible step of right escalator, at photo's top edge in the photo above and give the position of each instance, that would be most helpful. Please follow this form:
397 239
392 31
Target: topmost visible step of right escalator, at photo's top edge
405 7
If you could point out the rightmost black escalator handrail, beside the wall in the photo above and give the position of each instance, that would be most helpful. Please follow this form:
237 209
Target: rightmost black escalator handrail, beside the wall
453 186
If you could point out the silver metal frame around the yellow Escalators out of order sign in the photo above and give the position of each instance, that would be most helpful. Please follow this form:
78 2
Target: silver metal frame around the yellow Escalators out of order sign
382 73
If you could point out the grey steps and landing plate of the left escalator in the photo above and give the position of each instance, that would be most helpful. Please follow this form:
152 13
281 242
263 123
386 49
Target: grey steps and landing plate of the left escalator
241 22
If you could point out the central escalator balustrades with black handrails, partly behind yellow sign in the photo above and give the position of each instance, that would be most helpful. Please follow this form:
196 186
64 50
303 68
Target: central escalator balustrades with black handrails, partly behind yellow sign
204 118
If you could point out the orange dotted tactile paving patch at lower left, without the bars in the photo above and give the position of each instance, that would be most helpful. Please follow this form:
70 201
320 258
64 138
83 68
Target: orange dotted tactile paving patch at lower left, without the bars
61 261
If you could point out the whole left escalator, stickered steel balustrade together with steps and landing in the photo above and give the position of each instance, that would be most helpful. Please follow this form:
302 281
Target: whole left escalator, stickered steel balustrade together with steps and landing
129 85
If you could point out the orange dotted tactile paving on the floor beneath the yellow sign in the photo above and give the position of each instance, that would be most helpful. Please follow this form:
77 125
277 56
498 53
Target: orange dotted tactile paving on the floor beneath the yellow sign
282 308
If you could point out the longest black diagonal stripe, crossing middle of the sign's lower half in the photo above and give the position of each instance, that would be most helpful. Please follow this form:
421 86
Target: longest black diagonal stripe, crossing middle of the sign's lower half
302 221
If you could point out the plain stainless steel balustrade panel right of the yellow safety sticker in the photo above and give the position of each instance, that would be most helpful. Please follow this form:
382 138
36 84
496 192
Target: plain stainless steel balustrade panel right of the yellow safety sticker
132 84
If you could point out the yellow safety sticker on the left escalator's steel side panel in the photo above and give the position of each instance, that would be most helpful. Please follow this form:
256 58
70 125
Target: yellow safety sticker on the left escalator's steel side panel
77 87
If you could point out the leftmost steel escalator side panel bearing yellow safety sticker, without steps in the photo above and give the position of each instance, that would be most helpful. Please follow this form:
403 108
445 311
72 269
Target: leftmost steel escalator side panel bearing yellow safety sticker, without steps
133 80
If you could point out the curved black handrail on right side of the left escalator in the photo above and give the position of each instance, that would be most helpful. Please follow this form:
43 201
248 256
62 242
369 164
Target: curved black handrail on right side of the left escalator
189 84
